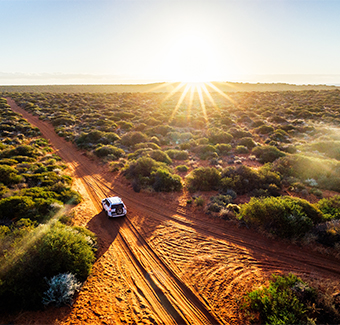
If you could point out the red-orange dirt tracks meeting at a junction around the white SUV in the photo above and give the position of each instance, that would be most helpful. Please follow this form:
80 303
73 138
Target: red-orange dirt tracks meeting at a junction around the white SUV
166 263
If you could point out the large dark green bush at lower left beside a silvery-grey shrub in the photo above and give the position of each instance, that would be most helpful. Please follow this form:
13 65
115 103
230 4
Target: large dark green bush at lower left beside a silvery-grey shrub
55 250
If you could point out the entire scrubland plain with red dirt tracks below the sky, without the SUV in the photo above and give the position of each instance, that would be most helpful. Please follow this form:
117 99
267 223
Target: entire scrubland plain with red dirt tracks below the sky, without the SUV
232 193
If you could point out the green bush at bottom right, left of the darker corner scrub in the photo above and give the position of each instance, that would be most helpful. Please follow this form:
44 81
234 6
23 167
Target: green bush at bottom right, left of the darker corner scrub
284 302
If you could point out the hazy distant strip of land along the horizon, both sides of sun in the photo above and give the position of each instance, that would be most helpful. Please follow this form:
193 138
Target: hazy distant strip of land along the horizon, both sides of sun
160 87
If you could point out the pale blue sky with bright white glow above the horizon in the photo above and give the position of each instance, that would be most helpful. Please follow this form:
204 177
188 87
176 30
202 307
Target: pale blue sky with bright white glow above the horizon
132 41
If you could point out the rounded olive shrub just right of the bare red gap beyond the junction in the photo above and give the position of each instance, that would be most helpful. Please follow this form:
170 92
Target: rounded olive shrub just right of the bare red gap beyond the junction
203 179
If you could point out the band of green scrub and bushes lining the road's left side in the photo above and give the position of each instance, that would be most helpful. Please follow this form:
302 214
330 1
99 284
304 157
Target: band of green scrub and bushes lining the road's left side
34 246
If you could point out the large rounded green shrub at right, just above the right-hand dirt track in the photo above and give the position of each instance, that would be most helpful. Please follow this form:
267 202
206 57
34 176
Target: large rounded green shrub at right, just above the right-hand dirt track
285 217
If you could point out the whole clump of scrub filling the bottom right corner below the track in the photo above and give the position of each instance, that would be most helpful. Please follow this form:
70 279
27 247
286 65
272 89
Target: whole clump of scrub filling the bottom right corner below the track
289 300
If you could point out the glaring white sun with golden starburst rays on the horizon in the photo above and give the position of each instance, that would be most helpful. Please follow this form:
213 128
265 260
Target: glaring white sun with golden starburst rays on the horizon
190 68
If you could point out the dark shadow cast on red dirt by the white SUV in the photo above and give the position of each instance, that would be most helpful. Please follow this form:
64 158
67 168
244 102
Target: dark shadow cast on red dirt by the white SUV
106 230
